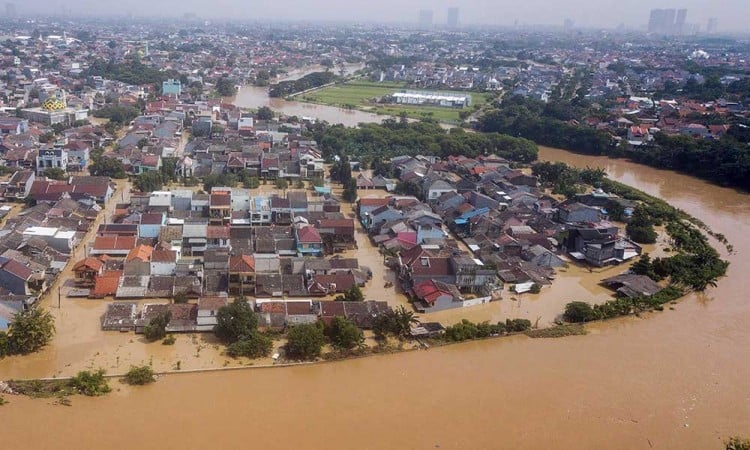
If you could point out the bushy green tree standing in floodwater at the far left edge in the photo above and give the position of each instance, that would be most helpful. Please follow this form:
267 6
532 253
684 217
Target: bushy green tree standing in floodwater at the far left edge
30 331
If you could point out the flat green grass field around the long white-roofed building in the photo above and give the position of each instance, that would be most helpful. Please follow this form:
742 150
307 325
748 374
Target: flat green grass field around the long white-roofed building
363 95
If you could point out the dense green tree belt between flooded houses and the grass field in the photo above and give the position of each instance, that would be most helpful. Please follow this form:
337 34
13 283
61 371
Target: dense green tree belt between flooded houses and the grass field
399 137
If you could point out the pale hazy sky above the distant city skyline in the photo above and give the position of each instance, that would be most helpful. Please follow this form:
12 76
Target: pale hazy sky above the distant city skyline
732 14
